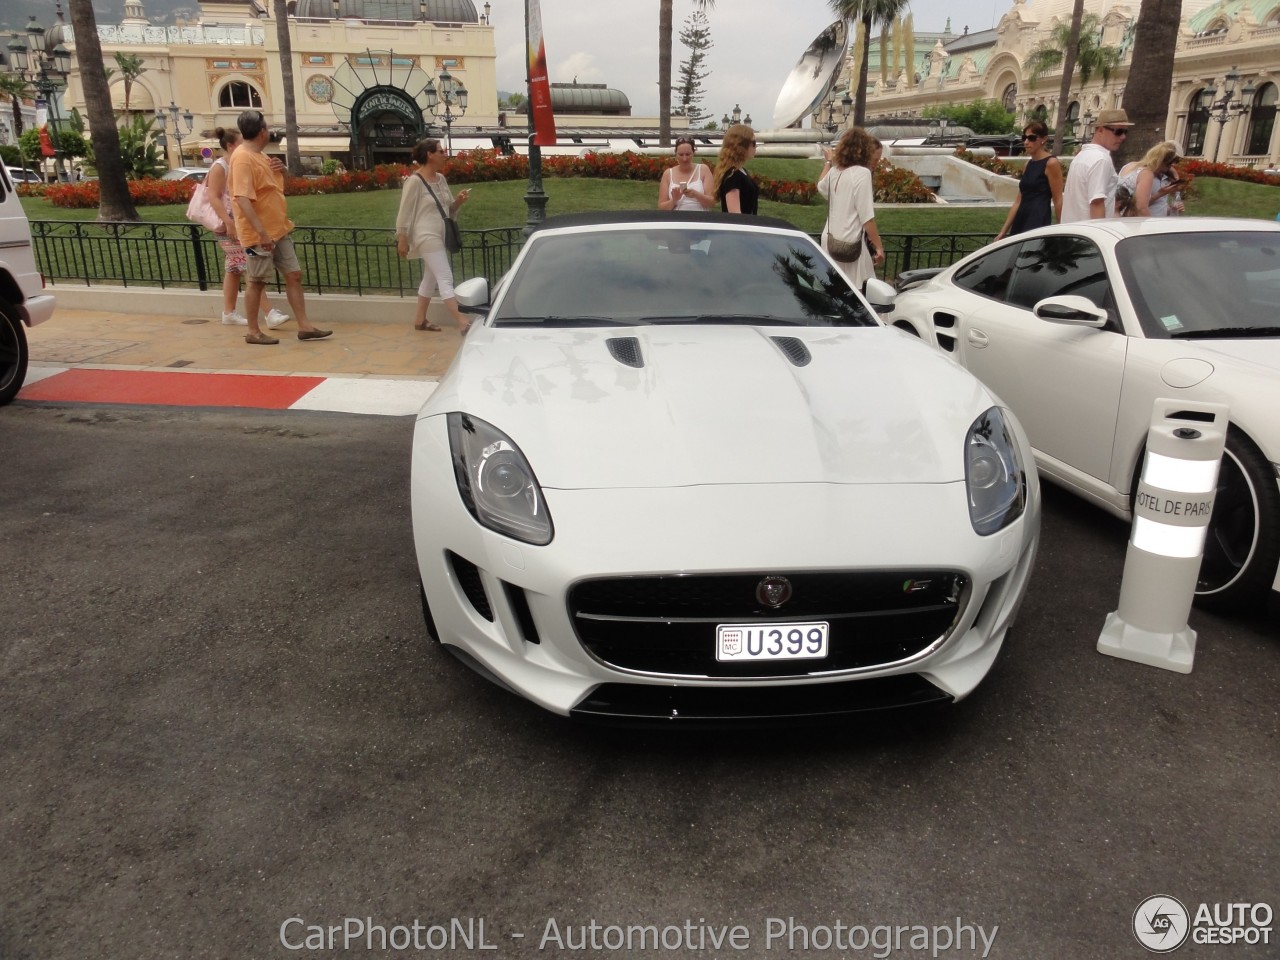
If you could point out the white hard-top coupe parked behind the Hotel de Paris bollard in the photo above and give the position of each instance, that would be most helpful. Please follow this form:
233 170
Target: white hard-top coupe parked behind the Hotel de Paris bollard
1081 328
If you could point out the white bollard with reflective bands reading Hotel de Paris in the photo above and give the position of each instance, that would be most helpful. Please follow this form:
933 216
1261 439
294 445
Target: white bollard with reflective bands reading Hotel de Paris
1171 518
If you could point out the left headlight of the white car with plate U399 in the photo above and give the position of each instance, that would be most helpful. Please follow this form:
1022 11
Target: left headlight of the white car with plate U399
496 481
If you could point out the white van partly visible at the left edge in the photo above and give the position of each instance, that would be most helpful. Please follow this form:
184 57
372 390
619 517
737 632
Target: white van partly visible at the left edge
24 301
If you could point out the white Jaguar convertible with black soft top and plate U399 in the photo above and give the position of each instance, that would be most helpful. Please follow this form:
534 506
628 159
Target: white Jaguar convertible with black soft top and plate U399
680 470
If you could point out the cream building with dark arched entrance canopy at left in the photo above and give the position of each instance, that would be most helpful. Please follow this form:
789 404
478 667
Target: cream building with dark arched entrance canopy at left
360 72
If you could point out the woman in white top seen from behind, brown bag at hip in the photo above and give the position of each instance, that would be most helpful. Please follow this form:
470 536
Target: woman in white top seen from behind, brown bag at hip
848 186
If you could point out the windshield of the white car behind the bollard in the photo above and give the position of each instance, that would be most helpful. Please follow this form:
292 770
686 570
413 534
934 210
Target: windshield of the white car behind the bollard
1188 286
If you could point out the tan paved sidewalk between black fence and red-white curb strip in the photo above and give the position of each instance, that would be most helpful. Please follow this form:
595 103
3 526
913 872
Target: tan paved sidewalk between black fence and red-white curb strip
118 330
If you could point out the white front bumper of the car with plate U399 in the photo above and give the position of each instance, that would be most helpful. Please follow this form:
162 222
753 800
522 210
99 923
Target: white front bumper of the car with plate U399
505 604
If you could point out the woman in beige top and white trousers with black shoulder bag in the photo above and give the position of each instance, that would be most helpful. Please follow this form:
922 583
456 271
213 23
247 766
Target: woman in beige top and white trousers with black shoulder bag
426 203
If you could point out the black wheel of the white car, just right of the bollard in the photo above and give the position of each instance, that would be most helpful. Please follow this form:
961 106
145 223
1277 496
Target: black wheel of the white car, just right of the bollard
1242 548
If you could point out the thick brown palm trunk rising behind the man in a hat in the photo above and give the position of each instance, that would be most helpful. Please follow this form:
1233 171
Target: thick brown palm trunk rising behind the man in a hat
1151 74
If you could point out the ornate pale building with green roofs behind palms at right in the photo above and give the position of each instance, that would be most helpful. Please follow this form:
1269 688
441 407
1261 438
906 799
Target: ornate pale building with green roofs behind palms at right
1222 106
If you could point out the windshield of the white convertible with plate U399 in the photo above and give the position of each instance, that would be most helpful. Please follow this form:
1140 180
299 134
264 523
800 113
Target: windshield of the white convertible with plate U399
679 276
